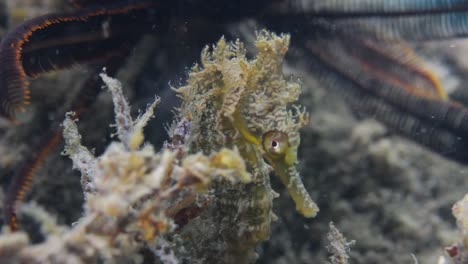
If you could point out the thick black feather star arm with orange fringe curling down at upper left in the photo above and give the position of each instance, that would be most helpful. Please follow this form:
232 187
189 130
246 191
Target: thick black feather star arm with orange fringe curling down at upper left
62 40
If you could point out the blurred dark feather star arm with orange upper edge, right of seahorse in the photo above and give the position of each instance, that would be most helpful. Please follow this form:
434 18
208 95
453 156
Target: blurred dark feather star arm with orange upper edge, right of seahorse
400 92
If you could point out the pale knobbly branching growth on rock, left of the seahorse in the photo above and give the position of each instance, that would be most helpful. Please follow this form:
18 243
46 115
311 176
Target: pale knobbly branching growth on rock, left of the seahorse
133 188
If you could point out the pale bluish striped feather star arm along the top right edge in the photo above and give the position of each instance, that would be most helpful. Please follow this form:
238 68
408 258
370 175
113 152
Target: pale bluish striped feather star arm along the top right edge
391 20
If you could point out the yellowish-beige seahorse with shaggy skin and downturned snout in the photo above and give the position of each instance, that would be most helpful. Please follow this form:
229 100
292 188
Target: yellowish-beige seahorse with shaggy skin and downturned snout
245 105
